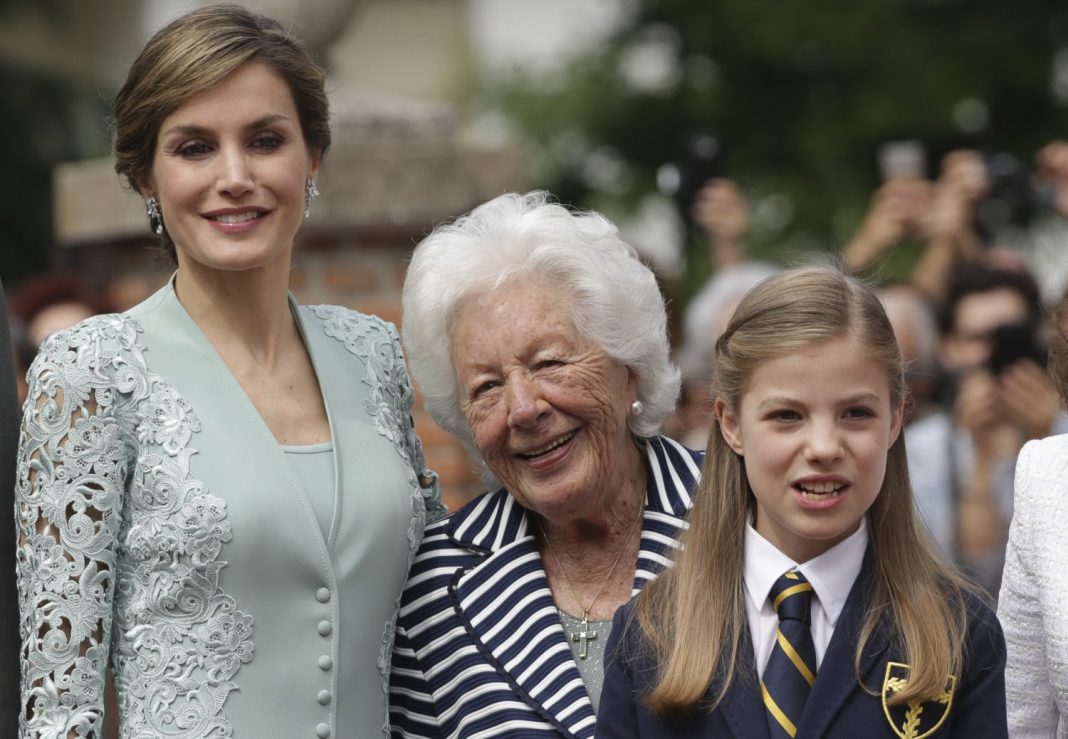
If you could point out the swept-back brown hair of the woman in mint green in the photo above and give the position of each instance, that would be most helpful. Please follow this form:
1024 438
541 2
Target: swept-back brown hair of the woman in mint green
195 53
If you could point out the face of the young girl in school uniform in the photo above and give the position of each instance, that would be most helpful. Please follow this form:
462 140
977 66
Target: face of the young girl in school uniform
814 429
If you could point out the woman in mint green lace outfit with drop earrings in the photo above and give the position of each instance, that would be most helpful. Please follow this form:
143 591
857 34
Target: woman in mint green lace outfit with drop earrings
219 492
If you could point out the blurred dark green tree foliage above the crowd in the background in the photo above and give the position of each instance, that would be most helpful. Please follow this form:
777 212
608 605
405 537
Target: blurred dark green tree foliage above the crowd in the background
802 95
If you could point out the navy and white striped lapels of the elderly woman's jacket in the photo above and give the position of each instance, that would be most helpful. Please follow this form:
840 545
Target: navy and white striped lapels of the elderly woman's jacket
506 604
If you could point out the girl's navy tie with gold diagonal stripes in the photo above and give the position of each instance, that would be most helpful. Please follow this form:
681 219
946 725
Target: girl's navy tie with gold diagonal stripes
792 668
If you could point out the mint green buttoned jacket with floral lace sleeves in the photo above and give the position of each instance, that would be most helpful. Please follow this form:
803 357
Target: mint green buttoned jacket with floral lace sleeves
165 530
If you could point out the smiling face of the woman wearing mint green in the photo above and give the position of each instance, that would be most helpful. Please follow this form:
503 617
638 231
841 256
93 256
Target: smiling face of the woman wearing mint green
230 172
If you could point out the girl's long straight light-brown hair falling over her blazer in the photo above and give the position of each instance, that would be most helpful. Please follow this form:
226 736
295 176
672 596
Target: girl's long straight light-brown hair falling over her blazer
694 616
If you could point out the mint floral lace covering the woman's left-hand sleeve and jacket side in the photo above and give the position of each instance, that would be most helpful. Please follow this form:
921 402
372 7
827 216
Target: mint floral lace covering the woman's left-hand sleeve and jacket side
119 549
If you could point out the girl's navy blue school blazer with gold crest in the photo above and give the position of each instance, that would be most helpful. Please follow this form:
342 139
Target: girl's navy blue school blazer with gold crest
838 706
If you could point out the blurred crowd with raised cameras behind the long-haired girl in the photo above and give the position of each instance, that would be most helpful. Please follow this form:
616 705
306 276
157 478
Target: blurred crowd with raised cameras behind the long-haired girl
976 319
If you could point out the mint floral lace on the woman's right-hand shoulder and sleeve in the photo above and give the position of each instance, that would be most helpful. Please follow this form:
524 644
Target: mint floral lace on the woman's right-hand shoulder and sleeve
390 402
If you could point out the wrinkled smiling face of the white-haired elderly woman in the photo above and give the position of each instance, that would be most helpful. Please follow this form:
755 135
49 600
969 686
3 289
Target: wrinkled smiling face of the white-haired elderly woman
547 408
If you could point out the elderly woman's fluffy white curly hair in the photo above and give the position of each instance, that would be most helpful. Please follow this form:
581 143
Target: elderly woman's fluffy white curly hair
615 298
